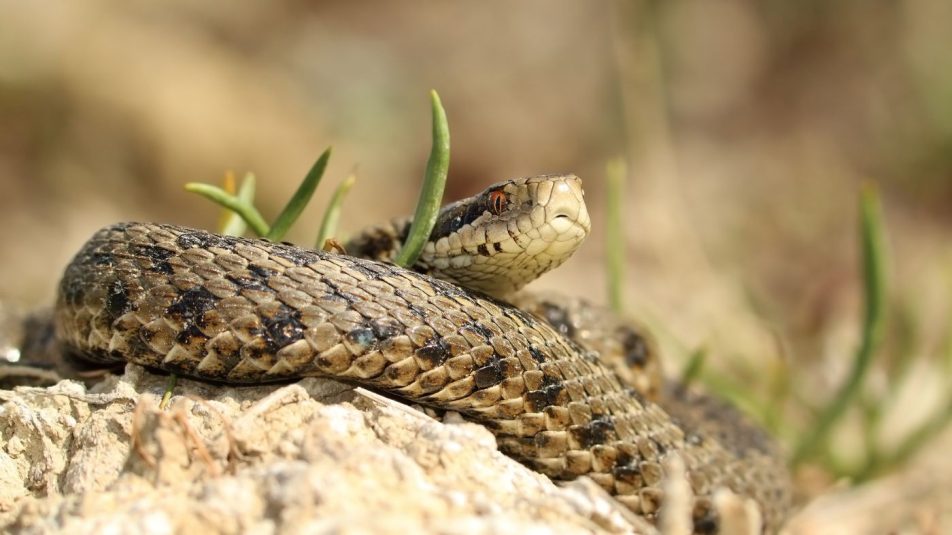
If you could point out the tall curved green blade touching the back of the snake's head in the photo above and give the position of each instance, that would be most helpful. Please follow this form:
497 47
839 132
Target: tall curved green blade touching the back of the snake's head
431 195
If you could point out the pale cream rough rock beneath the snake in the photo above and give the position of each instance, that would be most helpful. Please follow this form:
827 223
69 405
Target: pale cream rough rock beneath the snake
314 456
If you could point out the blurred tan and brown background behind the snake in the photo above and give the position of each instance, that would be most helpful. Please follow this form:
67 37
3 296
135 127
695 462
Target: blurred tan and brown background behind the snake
748 127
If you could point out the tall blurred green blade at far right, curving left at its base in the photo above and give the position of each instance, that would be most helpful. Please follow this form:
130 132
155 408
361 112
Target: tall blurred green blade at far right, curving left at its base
874 291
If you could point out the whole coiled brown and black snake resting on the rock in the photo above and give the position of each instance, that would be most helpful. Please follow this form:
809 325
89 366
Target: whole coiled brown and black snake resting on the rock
546 375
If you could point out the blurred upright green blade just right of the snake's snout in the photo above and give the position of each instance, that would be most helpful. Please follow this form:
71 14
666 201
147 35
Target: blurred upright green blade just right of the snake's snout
615 173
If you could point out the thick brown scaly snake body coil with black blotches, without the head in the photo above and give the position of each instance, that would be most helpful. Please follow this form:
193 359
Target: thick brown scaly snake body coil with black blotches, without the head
243 310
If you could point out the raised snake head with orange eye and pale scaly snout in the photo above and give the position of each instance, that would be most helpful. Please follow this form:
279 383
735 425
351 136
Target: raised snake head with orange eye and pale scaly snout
511 233
